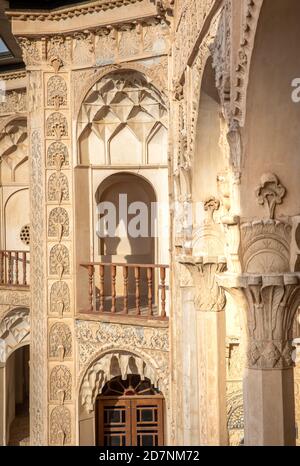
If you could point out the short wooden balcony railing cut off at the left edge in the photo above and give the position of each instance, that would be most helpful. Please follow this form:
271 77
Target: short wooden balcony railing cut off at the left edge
14 268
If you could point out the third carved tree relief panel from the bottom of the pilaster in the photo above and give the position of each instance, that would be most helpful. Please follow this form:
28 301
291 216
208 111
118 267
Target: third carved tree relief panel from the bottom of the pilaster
60 339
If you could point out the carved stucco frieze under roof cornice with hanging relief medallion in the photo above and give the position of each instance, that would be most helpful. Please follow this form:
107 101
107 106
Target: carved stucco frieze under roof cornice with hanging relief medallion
99 46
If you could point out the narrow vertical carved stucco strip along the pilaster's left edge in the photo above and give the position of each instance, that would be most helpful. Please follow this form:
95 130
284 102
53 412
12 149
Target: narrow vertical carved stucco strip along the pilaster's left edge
38 392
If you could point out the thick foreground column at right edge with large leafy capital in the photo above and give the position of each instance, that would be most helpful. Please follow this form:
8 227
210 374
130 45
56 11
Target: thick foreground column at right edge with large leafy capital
269 303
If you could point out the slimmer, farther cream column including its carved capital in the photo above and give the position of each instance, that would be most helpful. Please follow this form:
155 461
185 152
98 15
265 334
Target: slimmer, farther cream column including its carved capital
210 331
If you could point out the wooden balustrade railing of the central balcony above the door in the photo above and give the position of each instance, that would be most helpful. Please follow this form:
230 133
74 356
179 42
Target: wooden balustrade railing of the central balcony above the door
138 290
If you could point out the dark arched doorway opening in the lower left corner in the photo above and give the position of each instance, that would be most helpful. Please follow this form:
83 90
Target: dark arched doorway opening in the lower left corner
17 399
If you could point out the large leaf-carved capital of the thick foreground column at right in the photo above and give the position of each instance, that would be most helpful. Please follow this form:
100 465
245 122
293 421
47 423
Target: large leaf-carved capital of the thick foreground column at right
270 303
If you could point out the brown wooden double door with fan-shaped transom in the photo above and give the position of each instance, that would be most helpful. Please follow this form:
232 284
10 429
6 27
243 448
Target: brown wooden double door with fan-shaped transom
129 413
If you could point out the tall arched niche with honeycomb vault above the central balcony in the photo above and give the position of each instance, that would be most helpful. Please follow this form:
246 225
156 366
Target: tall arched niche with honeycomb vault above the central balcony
122 130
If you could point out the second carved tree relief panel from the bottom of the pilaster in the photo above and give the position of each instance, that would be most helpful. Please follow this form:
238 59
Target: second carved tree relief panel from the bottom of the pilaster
60 384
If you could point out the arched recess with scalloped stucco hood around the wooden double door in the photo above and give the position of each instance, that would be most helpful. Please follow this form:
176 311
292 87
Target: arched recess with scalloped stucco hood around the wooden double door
132 375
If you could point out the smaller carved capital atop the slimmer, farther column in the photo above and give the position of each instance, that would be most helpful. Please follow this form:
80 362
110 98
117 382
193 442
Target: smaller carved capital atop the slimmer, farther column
209 297
